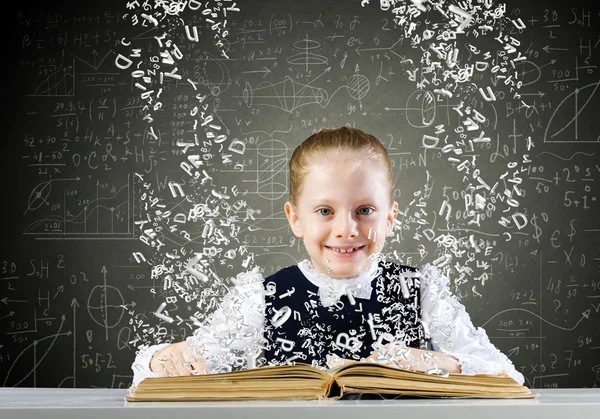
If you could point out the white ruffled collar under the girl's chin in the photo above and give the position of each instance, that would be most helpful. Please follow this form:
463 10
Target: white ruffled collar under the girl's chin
331 289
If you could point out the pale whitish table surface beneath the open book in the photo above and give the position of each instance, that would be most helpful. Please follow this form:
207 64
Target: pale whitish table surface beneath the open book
110 403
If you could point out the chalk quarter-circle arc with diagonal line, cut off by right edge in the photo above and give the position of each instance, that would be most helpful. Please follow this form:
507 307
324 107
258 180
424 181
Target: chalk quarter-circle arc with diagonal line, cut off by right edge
572 107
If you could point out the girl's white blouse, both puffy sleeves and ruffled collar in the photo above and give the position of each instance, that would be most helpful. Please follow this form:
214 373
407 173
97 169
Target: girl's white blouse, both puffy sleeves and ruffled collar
239 321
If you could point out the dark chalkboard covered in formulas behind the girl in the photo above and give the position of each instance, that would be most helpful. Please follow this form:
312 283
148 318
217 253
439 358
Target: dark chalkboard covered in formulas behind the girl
144 164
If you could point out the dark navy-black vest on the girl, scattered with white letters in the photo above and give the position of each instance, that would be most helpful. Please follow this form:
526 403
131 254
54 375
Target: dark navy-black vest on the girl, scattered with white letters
348 330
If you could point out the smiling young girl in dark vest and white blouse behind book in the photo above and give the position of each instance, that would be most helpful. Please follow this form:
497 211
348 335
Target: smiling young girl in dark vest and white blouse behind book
347 302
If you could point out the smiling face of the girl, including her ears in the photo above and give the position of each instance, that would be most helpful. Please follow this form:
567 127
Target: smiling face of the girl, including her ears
343 205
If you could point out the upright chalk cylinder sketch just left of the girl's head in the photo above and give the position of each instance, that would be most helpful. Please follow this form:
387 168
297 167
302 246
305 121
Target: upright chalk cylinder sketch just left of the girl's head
271 180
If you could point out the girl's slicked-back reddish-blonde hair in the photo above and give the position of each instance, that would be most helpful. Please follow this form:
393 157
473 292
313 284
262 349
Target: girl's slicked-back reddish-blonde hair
366 146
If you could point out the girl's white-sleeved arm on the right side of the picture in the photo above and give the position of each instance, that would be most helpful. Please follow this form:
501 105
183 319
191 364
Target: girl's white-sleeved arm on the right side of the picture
453 333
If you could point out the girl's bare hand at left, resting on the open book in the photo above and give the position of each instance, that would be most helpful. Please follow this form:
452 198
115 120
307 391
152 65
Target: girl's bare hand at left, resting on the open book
178 359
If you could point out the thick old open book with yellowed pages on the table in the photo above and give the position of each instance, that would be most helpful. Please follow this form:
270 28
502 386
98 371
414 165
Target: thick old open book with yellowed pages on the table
302 381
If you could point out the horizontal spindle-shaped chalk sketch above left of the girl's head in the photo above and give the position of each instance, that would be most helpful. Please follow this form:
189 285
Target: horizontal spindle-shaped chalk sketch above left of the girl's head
287 95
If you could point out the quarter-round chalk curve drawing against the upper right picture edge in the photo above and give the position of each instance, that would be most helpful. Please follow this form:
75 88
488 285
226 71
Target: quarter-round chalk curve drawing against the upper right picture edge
574 111
